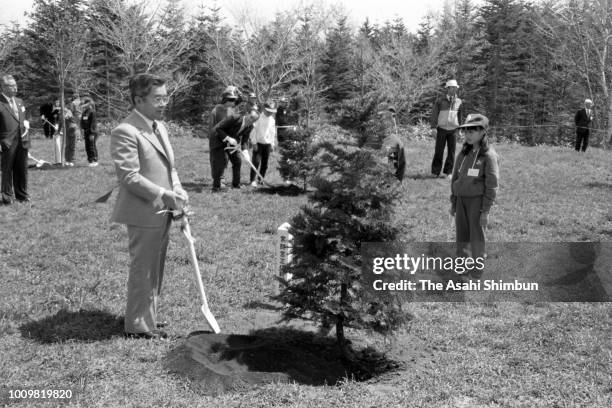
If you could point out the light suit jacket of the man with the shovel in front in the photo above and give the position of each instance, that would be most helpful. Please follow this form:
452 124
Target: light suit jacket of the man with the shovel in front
143 168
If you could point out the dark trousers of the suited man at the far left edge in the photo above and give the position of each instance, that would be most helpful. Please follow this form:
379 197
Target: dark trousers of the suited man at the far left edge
14 166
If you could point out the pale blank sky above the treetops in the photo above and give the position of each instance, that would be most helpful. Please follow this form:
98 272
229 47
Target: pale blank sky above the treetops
411 11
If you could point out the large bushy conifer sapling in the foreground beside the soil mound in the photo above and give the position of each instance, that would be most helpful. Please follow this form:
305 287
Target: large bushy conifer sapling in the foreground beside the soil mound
352 203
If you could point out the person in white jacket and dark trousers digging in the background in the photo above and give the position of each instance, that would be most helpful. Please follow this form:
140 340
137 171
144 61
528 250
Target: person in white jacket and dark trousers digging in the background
263 139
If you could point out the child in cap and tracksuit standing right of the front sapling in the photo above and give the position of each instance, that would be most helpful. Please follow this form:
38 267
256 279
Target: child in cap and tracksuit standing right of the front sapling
474 185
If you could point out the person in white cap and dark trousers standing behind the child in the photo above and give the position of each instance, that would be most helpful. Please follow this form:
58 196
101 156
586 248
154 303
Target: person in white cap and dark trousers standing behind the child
446 116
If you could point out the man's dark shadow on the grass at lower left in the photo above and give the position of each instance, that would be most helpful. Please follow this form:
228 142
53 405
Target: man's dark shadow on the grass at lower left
84 325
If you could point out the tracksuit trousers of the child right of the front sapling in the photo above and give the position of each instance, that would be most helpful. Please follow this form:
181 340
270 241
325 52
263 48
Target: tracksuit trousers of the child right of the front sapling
470 234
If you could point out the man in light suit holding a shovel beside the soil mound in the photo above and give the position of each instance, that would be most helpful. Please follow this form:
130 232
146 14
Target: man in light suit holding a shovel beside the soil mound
148 183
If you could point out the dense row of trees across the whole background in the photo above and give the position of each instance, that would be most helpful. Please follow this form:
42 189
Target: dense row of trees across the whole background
527 65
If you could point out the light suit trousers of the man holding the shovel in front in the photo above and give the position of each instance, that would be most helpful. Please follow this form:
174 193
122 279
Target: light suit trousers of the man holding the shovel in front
147 247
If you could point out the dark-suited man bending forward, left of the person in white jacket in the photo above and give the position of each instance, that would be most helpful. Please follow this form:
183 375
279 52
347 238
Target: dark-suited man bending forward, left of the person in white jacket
232 131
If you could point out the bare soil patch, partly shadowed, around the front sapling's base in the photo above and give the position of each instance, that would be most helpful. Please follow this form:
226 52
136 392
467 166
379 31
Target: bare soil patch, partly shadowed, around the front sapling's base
220 363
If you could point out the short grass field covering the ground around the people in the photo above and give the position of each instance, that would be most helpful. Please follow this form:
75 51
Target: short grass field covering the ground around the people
63 267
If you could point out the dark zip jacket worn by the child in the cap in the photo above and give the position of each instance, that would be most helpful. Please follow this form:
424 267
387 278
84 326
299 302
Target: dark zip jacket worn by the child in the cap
485 184
